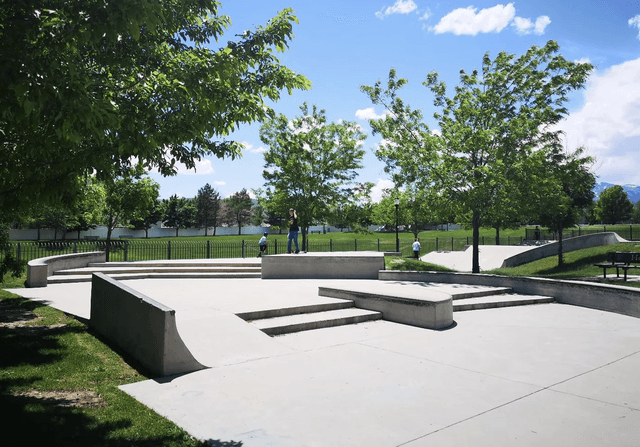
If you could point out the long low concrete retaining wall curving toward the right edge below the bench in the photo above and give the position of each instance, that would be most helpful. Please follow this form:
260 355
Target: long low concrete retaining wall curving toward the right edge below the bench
617 299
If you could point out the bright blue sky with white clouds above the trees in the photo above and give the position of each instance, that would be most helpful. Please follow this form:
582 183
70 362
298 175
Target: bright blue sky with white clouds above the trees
341 45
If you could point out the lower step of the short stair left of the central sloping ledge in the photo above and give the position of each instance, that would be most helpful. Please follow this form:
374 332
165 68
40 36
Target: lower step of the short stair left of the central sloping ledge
307 321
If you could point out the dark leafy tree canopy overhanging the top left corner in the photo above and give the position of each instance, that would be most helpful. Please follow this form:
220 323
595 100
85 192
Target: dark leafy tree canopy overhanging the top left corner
95 86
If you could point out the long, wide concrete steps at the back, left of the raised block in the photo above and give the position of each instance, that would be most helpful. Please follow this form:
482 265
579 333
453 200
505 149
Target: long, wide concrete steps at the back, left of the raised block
160 269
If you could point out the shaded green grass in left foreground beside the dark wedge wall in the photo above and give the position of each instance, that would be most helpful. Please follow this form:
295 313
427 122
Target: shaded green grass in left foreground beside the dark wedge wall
59 385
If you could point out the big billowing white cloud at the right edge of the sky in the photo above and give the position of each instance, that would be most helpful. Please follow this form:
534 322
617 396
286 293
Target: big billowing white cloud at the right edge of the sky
608 124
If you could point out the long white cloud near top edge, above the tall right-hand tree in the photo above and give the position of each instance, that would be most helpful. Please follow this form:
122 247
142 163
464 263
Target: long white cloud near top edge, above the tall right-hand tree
468 21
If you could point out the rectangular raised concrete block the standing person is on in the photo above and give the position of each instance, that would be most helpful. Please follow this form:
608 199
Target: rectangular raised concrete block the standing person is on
332 265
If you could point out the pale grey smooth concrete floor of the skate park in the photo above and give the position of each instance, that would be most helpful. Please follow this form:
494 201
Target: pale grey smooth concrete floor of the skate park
552 375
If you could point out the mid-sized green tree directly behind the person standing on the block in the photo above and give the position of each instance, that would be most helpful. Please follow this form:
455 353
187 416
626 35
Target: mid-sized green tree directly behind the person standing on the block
309 165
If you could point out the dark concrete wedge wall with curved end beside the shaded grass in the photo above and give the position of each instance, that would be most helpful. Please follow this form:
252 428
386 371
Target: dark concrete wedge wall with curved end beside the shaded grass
141 327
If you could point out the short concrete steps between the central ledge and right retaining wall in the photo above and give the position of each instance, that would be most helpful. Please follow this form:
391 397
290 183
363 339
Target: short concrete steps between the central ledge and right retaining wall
503 297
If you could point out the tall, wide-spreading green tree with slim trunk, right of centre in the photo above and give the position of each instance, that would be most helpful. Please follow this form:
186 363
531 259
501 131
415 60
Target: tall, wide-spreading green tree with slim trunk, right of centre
497 117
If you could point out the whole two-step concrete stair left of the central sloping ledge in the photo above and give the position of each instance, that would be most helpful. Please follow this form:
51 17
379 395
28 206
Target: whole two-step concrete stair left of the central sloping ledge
304 318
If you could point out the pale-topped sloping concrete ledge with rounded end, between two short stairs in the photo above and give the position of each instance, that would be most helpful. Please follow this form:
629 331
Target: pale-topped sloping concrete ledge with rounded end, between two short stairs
399 303
